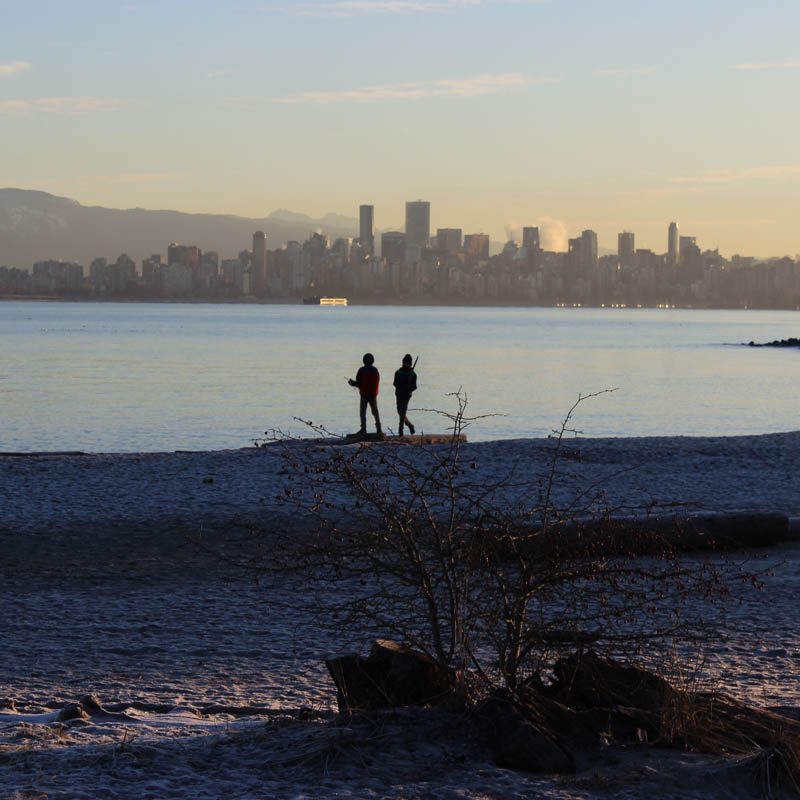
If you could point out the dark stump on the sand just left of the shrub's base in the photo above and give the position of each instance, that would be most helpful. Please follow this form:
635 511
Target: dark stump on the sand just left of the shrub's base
393 675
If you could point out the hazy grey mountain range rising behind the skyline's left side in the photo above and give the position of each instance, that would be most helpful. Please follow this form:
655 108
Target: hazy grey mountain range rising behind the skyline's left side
35 226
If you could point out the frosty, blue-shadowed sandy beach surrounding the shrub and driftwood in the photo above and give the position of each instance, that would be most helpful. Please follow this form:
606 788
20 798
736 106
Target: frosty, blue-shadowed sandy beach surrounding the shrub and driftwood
209 687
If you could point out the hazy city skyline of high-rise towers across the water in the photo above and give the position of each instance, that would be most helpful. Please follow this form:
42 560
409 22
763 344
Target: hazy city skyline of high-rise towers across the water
414 266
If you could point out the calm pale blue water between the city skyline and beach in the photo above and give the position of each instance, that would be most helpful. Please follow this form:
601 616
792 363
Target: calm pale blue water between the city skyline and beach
106 377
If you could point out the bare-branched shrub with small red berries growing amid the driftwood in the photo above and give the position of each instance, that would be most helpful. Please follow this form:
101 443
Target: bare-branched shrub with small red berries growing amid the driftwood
494 578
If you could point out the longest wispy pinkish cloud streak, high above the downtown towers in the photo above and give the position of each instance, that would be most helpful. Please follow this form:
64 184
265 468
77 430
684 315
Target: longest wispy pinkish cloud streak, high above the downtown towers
417 90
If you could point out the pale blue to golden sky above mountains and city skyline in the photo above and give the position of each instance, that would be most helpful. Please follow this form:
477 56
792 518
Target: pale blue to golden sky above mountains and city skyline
610 115
